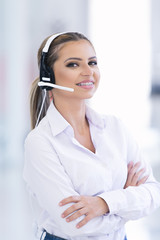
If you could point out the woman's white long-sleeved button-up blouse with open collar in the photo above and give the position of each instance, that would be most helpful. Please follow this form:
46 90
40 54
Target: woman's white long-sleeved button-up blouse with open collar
58 166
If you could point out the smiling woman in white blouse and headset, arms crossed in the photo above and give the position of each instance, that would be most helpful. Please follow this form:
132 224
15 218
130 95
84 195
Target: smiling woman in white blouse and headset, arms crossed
84 172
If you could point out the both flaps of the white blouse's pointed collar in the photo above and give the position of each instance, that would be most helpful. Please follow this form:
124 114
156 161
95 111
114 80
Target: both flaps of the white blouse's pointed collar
58 124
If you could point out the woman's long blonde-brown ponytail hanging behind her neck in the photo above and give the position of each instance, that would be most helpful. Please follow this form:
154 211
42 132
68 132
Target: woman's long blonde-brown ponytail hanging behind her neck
36 98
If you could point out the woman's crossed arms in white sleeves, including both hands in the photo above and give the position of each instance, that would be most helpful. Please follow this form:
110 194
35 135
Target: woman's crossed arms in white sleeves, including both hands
43 172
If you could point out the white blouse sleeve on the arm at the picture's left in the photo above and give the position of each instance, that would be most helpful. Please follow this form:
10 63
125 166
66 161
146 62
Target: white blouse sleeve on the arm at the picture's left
48 180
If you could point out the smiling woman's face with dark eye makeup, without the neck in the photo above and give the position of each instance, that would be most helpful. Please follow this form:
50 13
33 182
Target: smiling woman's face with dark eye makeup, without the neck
77 68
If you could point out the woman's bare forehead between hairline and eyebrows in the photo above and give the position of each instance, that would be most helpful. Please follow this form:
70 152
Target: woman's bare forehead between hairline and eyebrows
79 48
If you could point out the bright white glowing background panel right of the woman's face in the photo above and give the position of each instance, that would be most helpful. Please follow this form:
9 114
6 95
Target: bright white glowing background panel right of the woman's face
120 32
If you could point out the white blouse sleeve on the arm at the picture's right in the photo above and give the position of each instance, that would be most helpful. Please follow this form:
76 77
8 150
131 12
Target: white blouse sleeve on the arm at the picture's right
134 202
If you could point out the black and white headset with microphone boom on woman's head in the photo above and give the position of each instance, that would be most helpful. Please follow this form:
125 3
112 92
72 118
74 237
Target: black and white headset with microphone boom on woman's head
47 78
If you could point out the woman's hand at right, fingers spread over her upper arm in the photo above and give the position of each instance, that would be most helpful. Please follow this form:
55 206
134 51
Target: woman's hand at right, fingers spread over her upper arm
134 175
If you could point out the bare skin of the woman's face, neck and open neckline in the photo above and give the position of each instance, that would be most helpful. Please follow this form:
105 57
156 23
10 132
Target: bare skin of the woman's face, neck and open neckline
77 63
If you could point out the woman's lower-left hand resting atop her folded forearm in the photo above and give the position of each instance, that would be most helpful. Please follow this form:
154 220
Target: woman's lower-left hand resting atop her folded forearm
87 206
